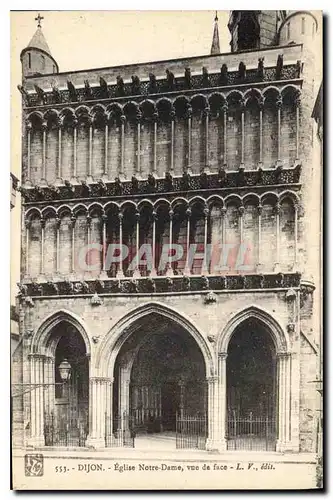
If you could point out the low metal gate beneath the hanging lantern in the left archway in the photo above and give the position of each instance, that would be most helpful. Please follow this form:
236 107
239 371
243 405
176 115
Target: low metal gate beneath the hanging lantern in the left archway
65 431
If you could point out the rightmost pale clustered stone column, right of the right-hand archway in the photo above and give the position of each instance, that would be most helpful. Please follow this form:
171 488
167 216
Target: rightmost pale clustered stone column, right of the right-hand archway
284 413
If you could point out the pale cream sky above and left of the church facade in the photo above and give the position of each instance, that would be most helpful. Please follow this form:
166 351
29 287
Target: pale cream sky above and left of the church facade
92 39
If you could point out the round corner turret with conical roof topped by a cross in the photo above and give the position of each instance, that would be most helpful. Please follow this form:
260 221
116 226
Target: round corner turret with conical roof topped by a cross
36 58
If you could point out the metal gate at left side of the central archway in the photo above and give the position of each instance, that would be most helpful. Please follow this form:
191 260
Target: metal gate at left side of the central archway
119 431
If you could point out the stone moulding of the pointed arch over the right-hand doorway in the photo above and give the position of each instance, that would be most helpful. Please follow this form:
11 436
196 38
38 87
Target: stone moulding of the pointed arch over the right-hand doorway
279 337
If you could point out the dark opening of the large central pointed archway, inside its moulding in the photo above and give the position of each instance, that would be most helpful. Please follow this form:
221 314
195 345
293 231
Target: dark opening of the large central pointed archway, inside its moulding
159 383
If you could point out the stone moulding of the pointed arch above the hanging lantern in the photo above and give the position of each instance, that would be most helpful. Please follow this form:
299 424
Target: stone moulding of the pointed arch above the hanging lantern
42 342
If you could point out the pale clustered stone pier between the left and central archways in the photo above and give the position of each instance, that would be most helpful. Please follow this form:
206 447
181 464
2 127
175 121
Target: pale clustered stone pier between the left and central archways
97 409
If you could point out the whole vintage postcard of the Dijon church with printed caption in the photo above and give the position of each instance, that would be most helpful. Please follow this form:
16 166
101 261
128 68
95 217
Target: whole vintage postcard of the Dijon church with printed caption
166 319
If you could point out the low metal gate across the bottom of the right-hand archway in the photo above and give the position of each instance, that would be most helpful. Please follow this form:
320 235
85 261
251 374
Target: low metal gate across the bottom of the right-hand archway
251 433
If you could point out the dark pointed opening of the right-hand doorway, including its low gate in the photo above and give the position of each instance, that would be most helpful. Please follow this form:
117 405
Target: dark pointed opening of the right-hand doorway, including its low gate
252 388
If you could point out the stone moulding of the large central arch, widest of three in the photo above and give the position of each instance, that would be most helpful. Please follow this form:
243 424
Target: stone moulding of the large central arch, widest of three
123 329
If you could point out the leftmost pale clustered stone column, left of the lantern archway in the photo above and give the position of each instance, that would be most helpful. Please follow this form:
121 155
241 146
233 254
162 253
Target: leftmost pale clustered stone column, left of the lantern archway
36 400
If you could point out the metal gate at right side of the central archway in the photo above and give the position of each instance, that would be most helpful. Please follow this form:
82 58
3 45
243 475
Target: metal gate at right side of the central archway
191 432
